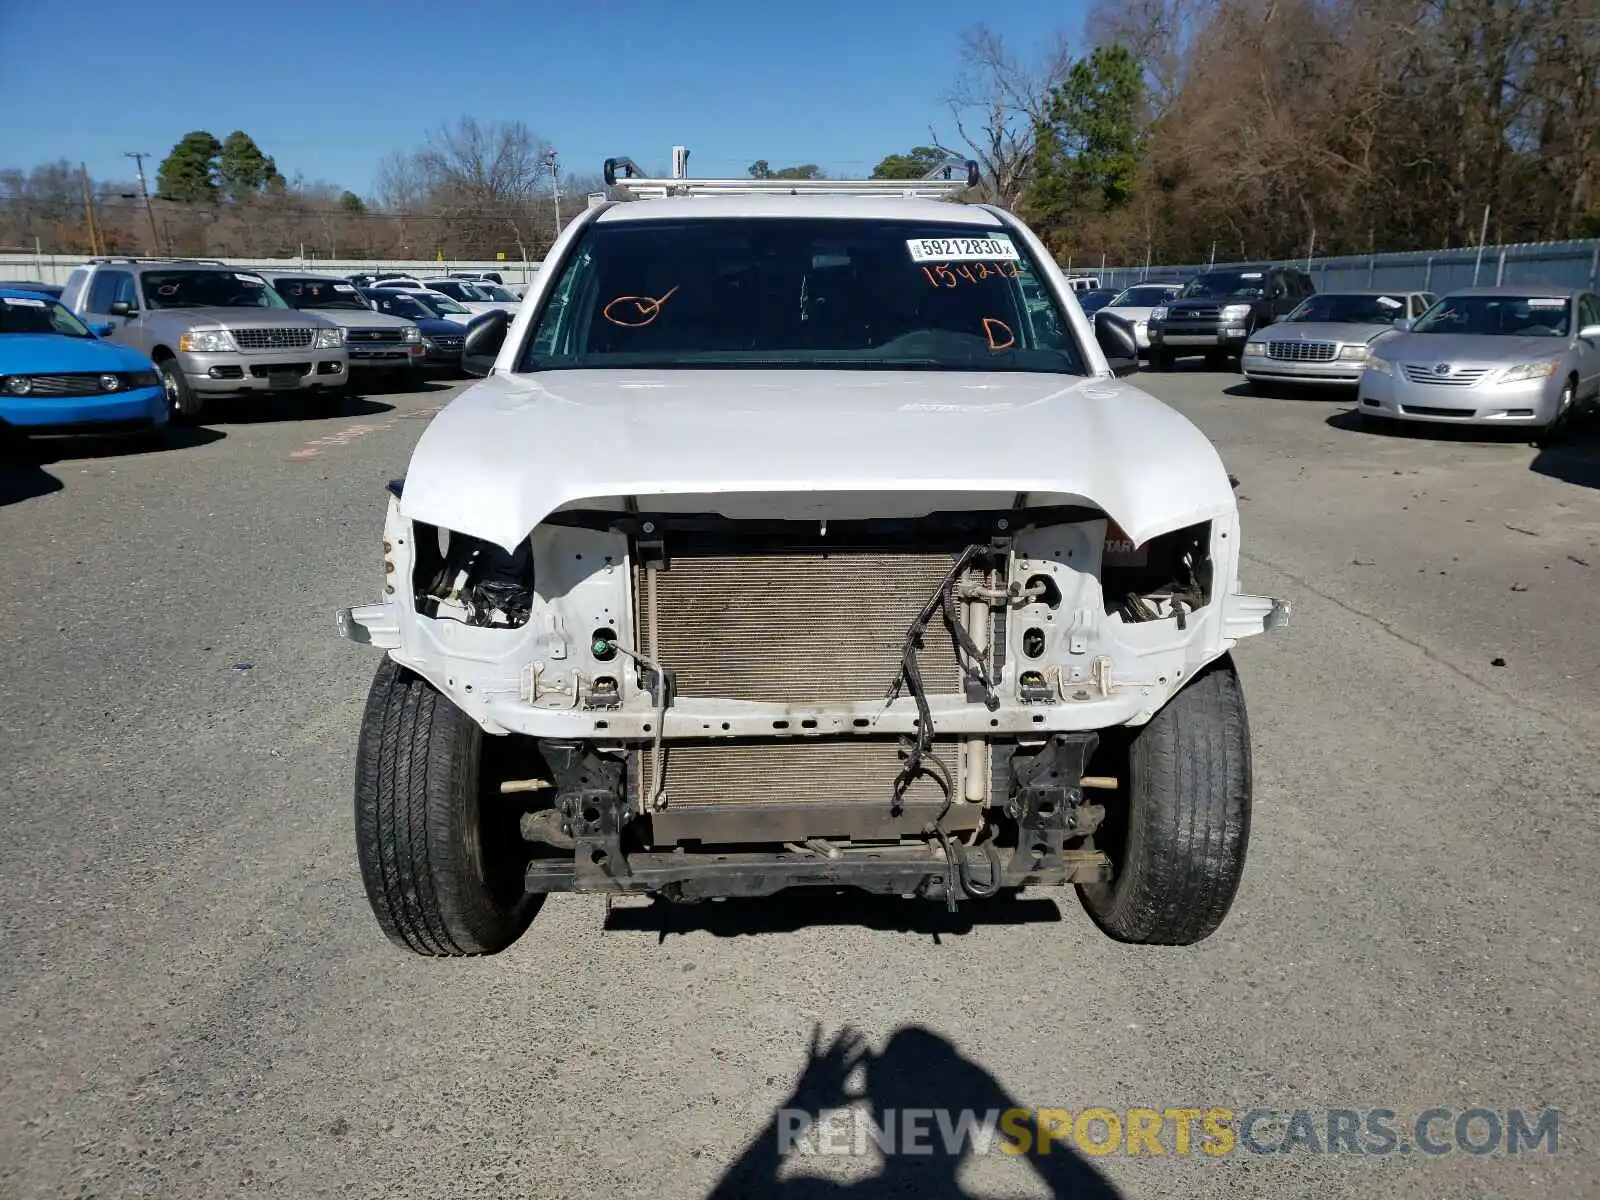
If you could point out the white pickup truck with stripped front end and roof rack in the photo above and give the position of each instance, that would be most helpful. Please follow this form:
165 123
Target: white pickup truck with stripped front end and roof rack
788 545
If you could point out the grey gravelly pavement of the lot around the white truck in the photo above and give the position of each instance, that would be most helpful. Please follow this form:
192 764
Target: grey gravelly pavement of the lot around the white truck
198 1002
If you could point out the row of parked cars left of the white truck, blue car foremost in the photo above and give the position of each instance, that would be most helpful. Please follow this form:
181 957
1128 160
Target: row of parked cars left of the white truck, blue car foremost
130 345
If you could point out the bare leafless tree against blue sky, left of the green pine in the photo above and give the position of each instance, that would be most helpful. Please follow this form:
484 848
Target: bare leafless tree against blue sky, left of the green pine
996 102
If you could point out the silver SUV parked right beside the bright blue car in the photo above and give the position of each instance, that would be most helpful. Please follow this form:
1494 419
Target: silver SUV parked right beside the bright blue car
210 329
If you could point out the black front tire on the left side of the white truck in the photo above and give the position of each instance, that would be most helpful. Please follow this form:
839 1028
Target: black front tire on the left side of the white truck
441 855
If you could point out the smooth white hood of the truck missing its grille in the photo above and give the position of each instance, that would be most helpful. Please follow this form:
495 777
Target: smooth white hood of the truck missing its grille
516 447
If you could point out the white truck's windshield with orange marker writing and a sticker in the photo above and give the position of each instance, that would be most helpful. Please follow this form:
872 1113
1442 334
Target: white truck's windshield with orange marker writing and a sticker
801 292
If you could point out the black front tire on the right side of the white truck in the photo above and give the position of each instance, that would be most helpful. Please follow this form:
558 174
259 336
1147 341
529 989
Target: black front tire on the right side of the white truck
1182 818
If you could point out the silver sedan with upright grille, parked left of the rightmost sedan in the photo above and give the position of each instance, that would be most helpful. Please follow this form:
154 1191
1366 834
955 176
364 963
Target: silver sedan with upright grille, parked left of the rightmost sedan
1329 337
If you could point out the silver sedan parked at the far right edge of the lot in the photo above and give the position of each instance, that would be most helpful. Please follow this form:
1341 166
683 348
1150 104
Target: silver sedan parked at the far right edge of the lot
1492 358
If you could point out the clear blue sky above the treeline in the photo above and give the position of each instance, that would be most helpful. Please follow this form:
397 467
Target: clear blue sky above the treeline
330 89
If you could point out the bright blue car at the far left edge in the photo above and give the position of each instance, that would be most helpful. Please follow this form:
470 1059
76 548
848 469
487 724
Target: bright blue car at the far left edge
57 375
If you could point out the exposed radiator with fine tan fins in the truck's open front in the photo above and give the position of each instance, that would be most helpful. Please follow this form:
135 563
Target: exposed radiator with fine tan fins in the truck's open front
801 626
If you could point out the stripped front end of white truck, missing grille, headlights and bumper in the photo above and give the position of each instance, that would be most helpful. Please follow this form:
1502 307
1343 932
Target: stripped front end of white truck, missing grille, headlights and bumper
930 705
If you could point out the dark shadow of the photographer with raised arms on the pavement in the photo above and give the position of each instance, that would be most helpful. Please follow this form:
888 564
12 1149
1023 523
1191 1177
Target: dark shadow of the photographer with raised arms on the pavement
918 1071
